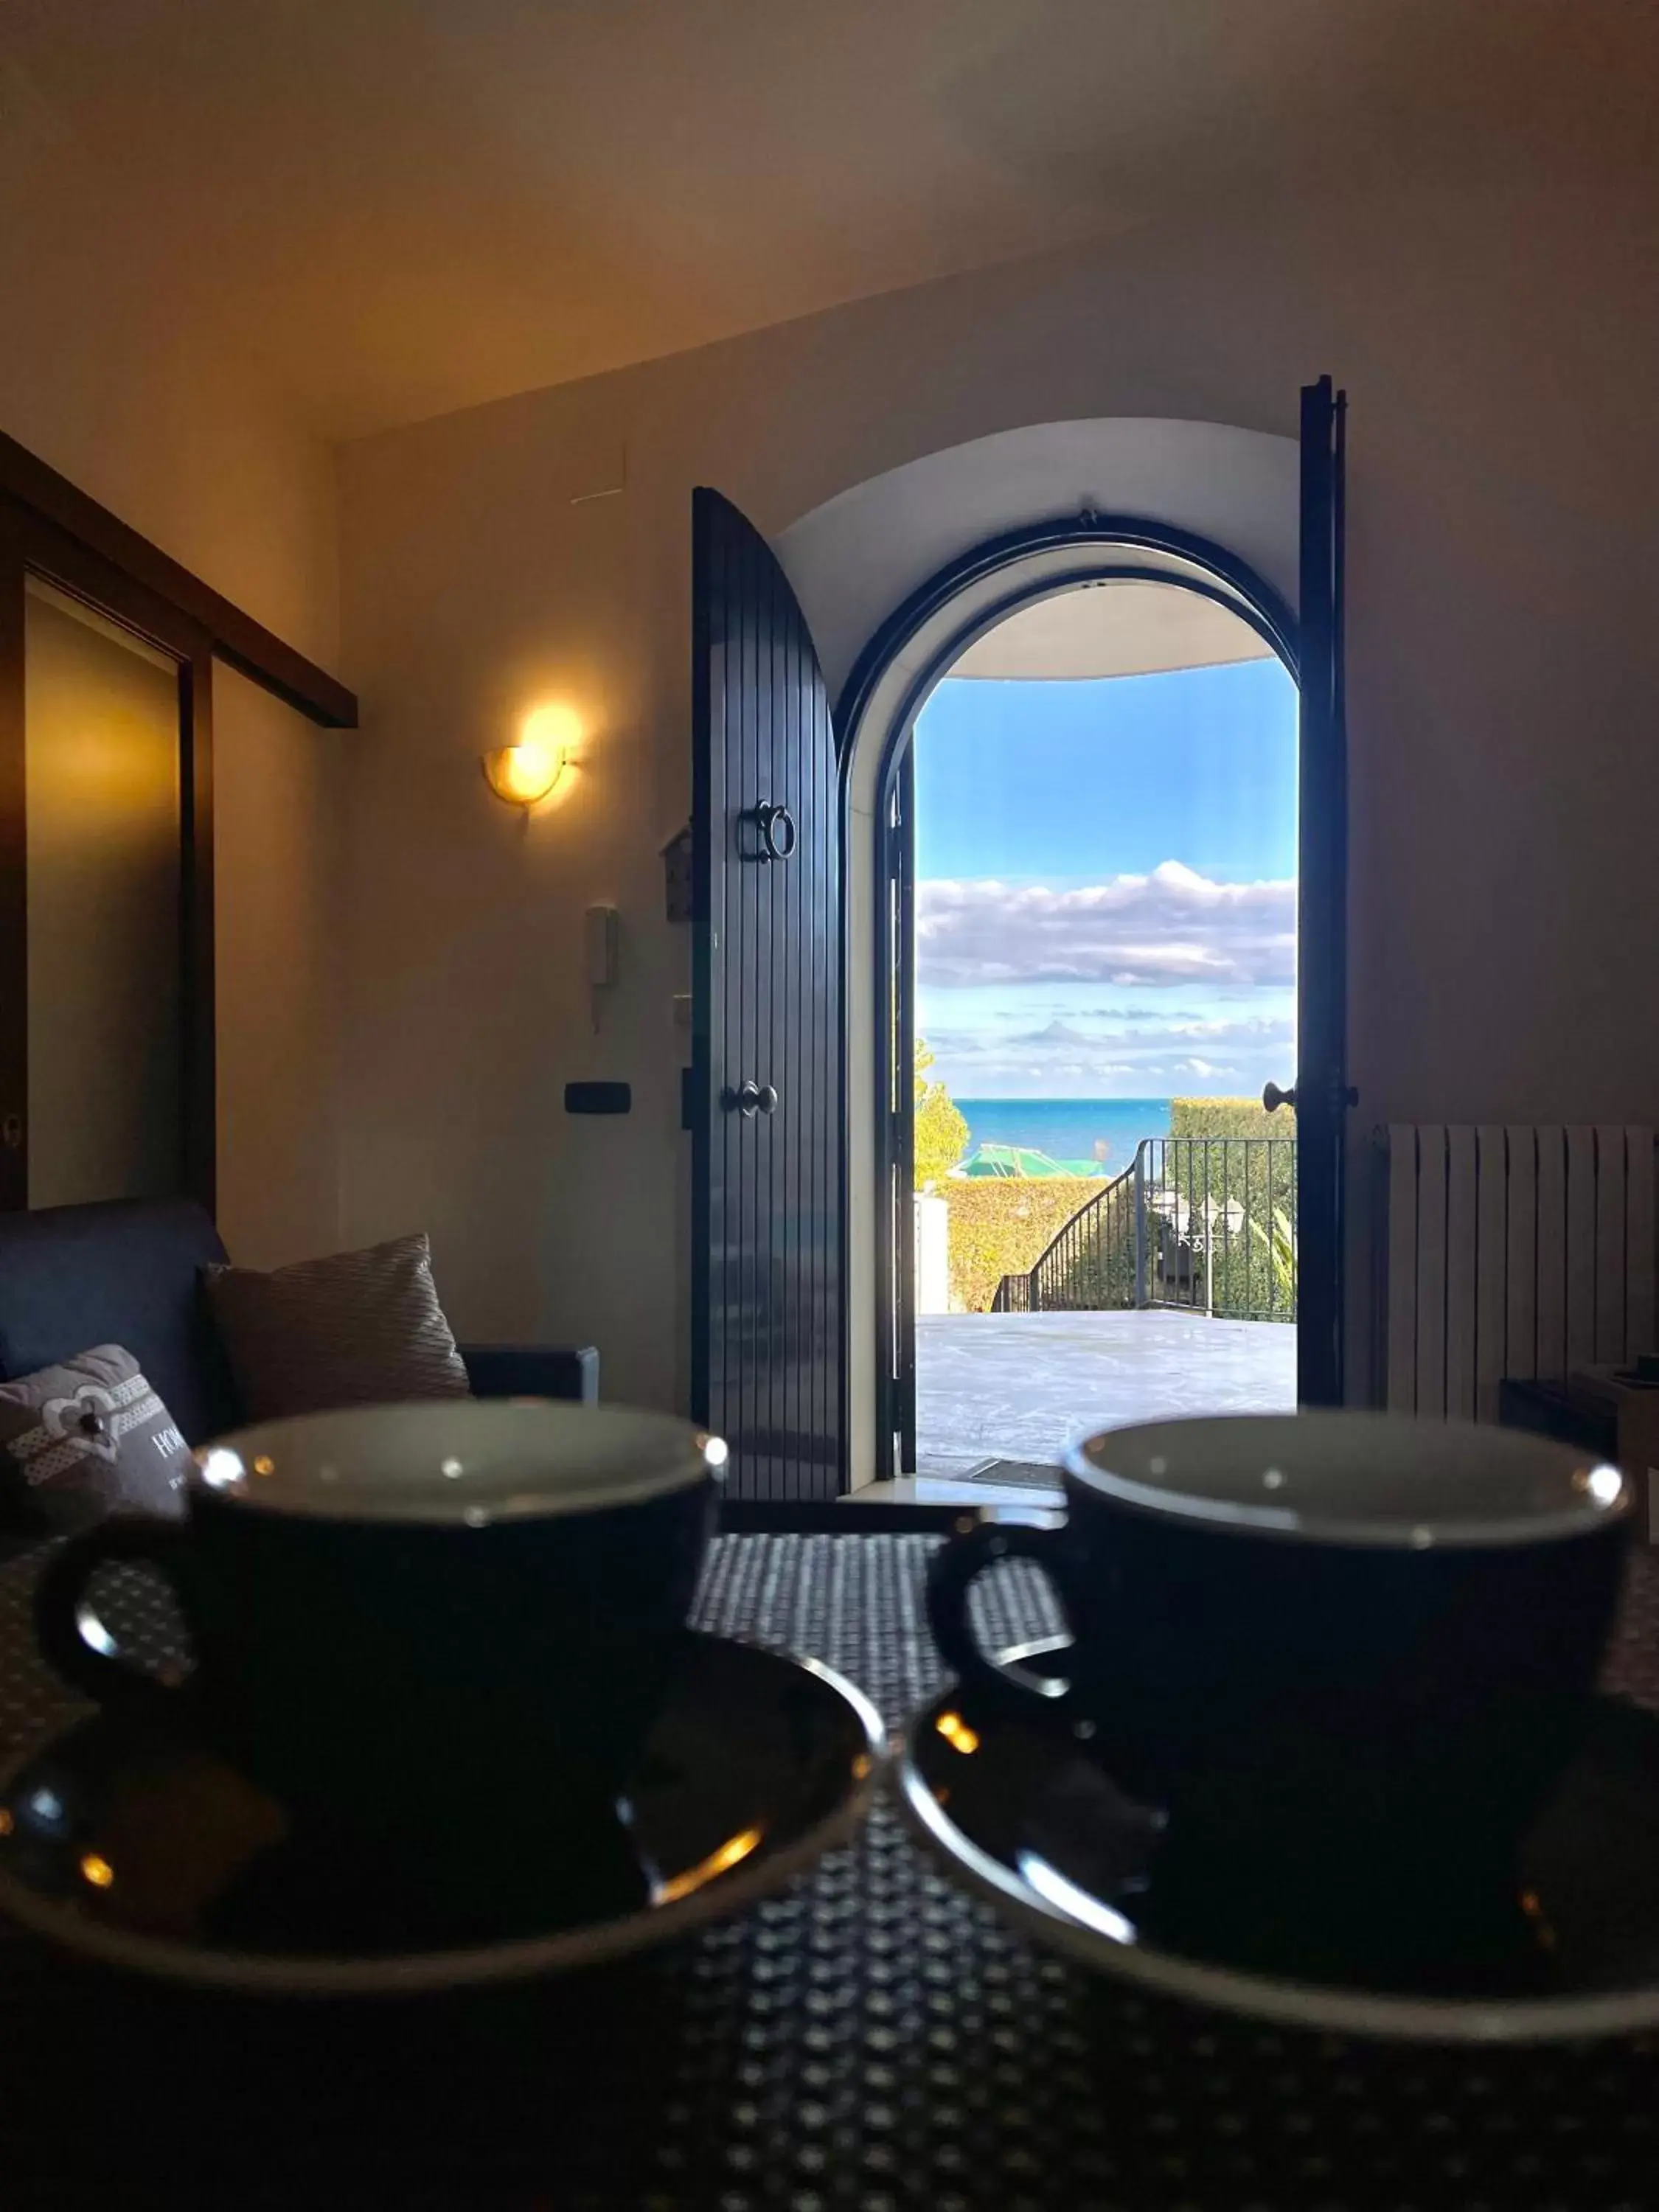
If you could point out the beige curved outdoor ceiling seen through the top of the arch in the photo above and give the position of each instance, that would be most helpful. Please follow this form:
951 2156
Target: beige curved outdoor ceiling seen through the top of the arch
1114 632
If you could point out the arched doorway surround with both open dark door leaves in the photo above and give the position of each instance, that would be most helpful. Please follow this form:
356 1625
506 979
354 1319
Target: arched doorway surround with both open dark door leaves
789 893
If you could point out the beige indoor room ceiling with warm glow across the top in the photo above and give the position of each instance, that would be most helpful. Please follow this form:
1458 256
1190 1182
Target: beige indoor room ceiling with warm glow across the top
404 207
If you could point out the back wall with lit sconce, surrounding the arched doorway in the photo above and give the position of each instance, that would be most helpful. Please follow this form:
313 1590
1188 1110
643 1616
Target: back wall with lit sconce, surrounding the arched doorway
1503 667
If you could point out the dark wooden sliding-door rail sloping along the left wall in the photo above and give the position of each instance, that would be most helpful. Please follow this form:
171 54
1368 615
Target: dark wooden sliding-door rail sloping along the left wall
238 638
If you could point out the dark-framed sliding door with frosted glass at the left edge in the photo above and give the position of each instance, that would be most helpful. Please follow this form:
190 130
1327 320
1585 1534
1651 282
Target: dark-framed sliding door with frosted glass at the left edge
107 1063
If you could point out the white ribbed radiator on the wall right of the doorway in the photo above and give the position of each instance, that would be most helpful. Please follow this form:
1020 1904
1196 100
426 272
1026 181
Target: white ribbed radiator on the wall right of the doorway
1512 1253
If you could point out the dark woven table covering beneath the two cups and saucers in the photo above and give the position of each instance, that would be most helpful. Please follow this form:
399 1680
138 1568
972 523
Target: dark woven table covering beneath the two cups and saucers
868 2043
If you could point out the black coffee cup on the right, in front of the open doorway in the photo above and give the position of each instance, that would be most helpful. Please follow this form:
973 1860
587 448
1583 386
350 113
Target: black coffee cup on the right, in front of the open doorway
1335 1649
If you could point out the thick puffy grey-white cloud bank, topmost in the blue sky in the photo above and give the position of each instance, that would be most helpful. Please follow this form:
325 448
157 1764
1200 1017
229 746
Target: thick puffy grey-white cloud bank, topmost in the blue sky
1169 928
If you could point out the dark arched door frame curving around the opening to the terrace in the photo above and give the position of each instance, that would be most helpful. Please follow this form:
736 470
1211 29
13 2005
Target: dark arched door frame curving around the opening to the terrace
1096 550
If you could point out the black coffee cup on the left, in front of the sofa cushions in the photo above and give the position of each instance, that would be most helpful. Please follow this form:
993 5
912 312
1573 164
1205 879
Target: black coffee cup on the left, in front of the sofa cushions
426 1625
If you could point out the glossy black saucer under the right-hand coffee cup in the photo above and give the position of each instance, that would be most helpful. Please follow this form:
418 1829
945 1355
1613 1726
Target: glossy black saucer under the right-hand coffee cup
1023 1817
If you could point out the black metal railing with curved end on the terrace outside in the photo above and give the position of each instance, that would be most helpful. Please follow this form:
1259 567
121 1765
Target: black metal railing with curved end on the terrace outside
1207 1224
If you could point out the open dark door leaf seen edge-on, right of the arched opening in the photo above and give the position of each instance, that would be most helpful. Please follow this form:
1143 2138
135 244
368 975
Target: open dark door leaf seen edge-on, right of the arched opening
1322 928
